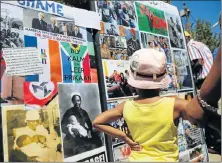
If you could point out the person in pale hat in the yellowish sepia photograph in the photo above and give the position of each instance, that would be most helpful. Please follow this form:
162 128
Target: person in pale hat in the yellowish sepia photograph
33 142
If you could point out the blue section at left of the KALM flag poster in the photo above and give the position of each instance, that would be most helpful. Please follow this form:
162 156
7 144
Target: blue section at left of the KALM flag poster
66 68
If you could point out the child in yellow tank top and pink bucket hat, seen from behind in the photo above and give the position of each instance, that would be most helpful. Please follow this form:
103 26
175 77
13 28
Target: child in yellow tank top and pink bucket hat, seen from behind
152 120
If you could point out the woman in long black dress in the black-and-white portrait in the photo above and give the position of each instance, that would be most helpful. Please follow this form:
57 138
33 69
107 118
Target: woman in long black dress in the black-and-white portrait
74 143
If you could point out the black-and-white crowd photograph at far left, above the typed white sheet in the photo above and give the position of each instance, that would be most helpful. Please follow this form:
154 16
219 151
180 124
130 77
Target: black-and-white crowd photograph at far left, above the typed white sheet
12 35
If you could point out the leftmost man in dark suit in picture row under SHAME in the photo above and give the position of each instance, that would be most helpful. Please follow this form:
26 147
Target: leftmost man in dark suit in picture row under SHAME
39 23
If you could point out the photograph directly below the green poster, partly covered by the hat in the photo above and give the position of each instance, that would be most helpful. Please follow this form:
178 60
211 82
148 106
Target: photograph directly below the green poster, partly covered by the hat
157 42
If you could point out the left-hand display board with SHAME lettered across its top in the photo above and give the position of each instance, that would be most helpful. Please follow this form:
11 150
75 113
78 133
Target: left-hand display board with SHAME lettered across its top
50 83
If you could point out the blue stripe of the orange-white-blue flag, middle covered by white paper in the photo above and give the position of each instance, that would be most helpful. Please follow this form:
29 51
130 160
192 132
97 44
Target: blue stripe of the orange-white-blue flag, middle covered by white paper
31 41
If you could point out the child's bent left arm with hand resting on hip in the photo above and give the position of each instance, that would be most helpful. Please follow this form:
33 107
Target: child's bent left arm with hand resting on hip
102 120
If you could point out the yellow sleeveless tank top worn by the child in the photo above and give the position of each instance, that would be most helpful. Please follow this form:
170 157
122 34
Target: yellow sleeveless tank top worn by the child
152 126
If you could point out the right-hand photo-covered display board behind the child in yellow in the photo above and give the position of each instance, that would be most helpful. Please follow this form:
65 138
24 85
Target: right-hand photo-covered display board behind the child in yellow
127 26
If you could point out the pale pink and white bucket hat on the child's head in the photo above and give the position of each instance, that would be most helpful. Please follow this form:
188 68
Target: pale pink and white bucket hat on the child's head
148 70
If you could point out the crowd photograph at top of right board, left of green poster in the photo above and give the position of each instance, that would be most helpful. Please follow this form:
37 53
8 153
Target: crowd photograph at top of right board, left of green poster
120 12
